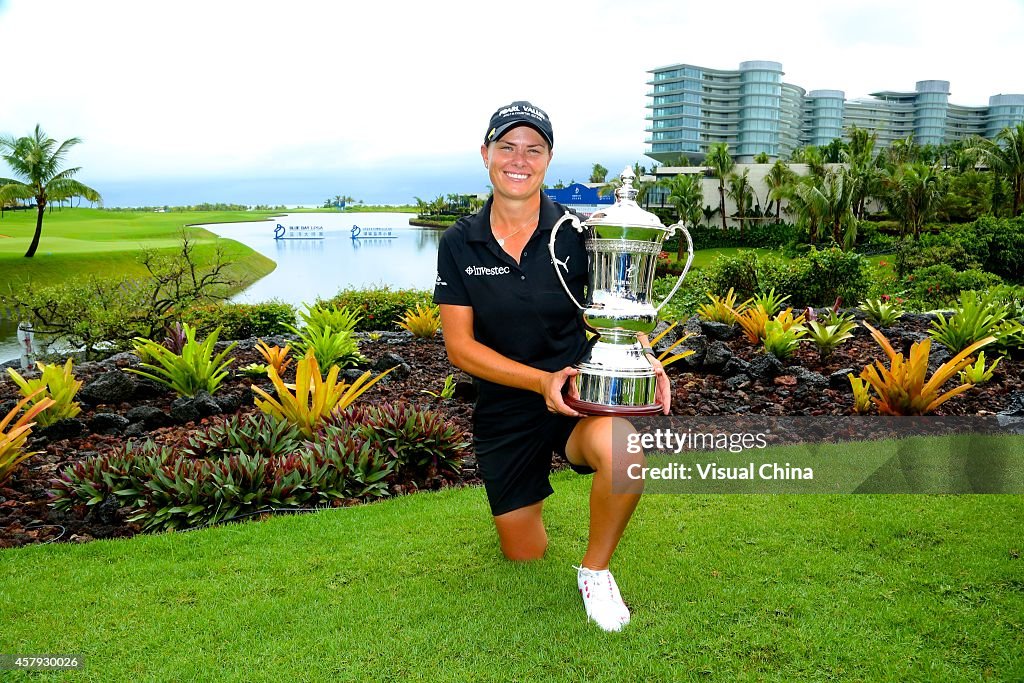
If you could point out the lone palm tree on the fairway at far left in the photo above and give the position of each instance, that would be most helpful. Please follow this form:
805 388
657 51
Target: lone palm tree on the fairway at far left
38 160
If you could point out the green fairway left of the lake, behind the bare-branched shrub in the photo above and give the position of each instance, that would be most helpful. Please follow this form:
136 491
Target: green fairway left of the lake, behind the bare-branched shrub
82 242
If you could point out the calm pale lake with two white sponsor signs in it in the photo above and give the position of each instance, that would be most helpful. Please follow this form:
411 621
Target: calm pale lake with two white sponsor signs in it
360 250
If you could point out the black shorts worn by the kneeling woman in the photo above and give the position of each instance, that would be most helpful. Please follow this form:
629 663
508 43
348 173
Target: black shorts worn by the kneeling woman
515 440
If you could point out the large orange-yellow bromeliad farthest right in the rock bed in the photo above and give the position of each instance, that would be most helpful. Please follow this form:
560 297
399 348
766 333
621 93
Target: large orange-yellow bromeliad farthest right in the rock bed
903 389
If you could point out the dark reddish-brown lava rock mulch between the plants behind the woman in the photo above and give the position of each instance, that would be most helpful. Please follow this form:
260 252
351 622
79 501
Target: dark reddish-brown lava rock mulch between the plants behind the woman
27 519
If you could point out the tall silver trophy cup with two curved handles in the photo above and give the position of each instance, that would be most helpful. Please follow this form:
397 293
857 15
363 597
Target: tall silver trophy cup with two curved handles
623 243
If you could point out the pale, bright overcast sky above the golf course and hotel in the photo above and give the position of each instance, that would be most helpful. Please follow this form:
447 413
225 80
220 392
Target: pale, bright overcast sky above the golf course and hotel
291 103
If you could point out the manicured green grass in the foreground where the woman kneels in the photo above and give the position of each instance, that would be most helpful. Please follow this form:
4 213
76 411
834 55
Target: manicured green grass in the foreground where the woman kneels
723 588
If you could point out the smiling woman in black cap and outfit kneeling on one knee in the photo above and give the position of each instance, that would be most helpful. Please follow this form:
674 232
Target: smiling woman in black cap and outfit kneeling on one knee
508 323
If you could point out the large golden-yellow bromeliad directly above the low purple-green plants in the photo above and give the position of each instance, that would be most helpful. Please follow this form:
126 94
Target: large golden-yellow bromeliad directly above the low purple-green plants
315 398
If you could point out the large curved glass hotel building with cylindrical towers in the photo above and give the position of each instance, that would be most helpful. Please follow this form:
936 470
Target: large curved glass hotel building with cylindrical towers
753 111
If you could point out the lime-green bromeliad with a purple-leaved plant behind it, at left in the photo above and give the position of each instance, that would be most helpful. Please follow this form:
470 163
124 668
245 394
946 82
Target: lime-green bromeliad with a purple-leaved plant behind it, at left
195 370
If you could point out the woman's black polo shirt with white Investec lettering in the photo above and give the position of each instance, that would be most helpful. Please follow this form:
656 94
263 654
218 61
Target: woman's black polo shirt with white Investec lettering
520 310
